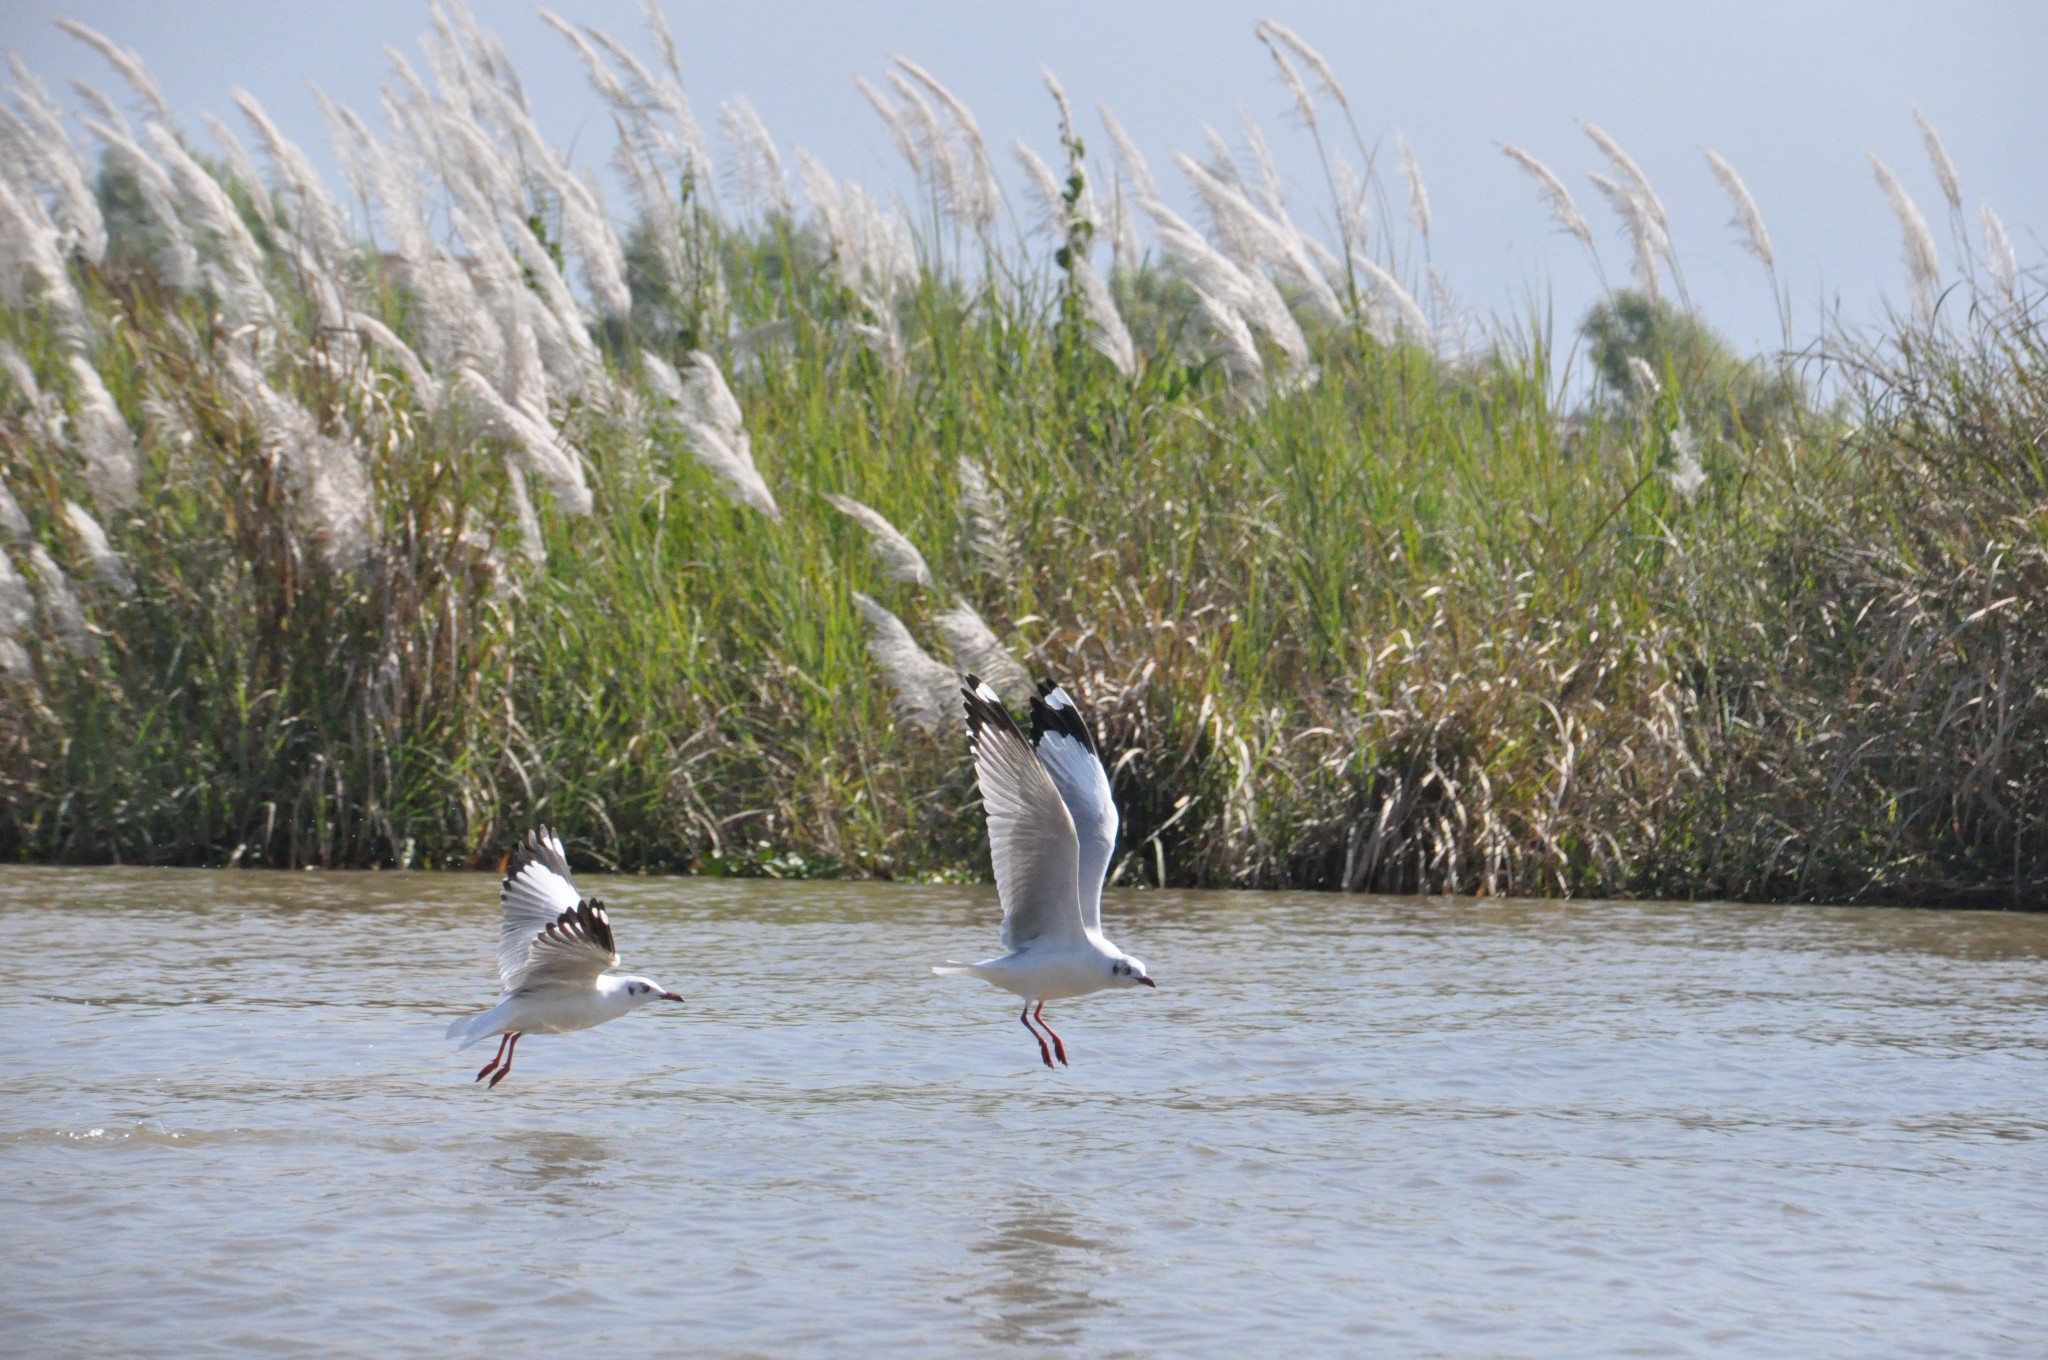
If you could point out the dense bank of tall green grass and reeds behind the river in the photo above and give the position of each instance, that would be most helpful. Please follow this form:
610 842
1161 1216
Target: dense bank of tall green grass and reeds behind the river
1392 615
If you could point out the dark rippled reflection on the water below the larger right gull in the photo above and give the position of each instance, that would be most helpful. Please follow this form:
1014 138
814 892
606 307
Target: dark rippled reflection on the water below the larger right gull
1046 1269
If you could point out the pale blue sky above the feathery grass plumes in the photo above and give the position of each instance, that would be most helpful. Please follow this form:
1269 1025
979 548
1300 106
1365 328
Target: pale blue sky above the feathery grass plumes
1793 93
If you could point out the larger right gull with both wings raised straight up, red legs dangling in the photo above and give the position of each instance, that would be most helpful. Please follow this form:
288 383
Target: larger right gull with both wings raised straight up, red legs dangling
1052 831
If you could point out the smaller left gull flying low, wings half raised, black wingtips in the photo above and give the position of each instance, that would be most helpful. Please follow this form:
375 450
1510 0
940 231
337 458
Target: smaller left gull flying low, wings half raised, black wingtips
554 951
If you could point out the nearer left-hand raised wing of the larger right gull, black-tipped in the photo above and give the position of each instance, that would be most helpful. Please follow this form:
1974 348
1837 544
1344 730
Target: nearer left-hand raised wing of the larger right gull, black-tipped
1031 833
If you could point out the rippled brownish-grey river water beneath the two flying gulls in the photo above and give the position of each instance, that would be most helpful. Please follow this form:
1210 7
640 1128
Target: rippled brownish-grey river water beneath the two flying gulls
1396 1128
